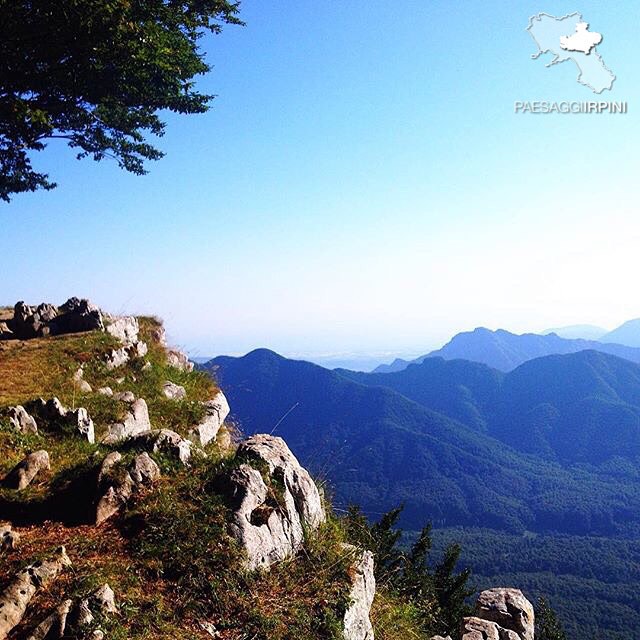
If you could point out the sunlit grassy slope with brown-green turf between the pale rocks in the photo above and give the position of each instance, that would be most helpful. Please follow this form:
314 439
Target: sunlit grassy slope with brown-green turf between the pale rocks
168 558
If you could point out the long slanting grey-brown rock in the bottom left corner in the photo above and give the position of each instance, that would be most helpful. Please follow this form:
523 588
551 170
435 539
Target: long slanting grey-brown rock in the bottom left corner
16 597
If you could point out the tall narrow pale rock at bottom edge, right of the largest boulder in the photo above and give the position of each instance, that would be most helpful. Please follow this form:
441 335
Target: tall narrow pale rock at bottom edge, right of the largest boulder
357 625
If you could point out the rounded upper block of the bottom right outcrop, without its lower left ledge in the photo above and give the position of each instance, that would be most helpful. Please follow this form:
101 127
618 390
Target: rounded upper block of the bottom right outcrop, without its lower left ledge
509 609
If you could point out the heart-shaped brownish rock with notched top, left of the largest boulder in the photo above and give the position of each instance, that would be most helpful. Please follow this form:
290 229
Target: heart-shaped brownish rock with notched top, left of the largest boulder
115 489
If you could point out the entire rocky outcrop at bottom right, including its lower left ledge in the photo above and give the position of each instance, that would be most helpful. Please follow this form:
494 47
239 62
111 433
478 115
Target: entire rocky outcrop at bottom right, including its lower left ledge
500 614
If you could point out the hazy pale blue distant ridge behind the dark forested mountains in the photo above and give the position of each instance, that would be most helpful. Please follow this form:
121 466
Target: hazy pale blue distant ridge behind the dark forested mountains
505 351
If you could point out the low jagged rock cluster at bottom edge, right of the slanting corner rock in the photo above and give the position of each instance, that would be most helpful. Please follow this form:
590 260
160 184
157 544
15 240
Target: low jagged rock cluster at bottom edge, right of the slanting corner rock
70 619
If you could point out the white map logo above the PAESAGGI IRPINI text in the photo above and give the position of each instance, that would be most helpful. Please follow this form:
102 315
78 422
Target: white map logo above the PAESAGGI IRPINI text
568 38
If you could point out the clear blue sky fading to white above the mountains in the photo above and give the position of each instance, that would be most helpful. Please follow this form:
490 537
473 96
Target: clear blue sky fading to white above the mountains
360 184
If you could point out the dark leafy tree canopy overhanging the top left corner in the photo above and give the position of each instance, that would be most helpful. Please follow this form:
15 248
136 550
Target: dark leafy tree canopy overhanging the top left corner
96 73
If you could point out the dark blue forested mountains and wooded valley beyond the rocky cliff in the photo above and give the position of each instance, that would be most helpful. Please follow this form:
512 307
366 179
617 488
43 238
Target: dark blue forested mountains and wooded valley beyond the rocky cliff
540 465
